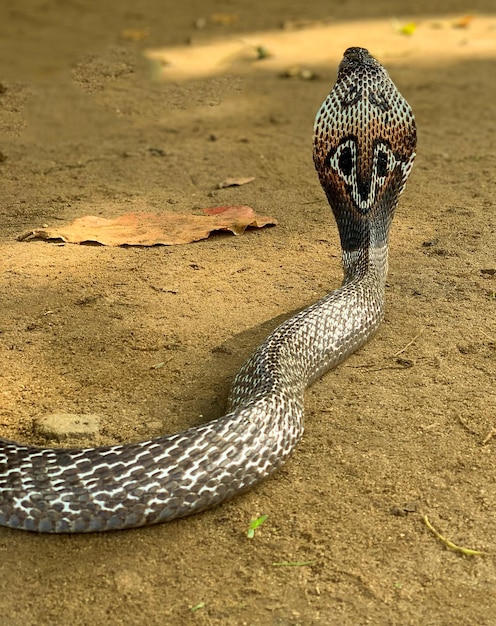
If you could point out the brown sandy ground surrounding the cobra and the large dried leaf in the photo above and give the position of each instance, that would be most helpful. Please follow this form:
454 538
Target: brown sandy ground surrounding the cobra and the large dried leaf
403 429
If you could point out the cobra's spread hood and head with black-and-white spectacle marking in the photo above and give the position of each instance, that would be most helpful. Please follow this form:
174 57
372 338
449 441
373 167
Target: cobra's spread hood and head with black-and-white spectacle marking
364 146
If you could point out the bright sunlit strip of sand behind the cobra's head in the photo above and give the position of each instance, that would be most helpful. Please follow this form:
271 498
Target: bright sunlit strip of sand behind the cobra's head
423 39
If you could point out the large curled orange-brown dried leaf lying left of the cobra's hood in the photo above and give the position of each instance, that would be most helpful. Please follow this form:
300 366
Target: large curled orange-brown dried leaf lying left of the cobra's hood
149 229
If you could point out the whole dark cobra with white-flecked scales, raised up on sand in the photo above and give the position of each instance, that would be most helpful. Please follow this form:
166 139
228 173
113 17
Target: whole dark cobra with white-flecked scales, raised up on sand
364 146
